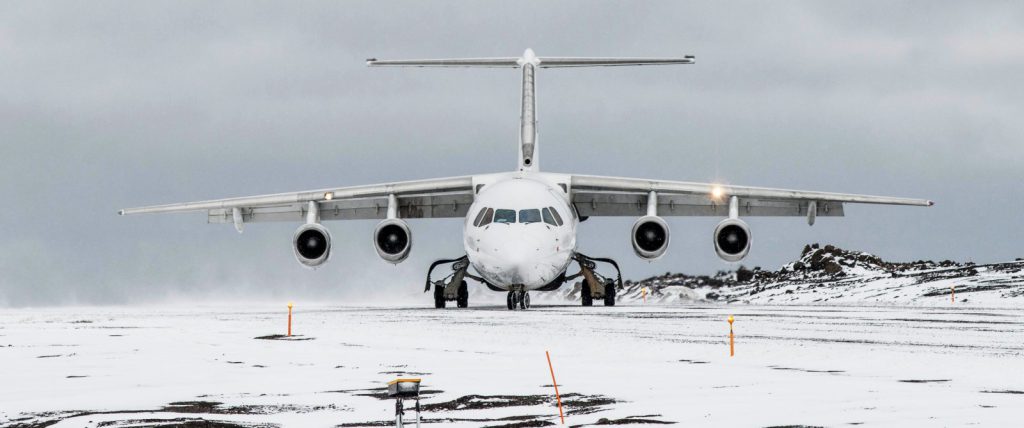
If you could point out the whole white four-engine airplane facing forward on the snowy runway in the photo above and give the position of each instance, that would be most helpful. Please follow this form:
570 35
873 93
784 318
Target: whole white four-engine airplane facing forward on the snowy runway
521 228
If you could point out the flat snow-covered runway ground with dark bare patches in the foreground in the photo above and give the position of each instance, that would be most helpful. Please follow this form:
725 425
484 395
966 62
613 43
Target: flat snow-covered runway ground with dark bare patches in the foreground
817 366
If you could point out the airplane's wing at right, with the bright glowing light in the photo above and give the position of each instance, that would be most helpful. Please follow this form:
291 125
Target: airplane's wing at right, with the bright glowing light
598 196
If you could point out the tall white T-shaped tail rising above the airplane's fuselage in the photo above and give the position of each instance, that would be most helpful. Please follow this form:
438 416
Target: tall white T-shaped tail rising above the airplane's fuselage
529 63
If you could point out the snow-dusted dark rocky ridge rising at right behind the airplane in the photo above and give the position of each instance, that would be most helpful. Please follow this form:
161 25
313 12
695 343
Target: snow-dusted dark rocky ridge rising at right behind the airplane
833 276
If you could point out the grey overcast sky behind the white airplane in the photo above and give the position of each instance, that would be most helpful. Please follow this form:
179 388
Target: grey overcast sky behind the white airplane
112 105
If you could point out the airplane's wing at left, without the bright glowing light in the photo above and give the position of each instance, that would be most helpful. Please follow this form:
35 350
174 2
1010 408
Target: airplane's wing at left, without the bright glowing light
421 199
